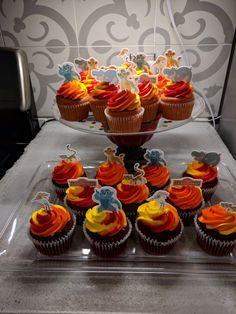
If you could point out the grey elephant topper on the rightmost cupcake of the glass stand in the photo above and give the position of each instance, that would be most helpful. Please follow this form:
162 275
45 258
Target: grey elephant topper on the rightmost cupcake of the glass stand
178 74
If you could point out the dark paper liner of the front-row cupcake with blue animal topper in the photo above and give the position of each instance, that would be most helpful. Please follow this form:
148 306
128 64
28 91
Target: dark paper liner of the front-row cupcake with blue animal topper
107 249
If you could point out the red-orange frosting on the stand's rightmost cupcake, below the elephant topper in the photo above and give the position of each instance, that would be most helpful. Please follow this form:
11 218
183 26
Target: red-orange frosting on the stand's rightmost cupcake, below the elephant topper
178 90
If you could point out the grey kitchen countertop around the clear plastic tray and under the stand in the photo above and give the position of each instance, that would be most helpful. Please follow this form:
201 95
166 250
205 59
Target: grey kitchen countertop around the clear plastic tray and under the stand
197 290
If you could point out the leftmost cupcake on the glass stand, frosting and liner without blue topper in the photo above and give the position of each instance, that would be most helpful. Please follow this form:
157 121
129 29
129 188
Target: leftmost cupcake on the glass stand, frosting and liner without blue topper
72 100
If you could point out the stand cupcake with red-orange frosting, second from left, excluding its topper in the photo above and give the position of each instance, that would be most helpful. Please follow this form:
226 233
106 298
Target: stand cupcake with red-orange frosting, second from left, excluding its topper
99 97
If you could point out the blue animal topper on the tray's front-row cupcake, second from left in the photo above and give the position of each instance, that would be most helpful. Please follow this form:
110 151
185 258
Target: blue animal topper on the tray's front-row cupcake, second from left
107 199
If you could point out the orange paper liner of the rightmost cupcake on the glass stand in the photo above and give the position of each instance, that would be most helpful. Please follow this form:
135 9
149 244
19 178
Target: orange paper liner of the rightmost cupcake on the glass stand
176 111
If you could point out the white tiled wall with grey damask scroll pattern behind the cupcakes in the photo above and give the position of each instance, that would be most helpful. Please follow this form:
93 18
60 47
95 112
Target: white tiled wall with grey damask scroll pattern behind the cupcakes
54 31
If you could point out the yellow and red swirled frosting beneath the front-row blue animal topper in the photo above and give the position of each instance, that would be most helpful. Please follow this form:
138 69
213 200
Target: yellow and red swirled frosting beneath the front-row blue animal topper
105 223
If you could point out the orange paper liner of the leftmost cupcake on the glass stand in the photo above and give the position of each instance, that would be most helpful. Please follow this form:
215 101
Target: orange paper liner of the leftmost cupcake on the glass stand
74 112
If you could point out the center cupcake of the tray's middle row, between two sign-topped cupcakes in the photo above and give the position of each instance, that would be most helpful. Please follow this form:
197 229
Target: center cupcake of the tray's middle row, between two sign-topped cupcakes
132 192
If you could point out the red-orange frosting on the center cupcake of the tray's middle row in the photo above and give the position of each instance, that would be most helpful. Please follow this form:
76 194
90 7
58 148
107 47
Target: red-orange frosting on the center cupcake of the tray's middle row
128 193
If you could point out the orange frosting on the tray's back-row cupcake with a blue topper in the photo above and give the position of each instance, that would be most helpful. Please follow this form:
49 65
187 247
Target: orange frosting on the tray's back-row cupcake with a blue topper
157 176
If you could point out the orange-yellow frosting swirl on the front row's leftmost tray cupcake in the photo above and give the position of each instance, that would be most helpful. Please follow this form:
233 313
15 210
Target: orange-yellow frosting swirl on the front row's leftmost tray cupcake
48 223
